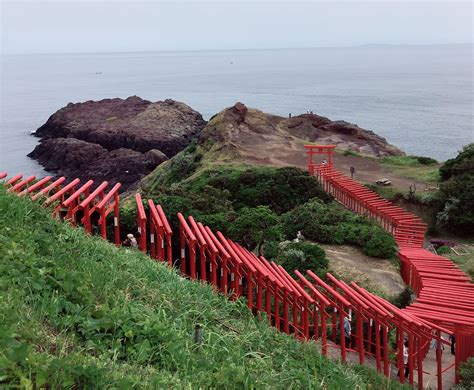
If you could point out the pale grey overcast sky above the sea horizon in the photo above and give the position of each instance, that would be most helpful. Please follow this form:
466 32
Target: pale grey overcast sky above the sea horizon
98 26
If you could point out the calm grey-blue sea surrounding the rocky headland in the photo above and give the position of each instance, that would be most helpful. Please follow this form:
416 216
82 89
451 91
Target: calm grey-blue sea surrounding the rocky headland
419 98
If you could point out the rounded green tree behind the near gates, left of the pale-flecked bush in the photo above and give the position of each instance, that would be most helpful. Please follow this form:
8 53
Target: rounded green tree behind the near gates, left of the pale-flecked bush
256 225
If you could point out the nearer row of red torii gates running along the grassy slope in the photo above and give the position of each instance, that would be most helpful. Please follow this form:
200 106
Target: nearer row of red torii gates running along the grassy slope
308 307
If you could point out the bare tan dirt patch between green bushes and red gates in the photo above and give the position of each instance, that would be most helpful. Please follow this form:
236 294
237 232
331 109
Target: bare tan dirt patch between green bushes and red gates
376 274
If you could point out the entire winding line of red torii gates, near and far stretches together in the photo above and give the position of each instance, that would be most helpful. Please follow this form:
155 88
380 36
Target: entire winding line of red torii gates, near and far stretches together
309 308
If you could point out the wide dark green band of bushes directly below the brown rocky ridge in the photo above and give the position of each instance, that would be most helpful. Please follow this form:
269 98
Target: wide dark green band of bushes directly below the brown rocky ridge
234 186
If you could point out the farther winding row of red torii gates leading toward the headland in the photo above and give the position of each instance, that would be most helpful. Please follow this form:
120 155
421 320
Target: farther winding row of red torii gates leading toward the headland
445 294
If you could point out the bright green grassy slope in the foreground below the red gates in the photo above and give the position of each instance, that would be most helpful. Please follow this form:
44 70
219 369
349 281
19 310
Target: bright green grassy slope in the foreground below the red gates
78 312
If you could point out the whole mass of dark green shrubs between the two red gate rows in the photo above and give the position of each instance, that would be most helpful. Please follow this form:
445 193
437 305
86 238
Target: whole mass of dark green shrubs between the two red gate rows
264 205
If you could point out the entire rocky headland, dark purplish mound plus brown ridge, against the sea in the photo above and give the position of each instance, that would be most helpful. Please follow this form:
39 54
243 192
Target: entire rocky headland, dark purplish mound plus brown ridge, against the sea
123 140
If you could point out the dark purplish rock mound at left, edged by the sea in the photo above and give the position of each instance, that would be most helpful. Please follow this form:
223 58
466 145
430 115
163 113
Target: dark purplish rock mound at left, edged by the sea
115 139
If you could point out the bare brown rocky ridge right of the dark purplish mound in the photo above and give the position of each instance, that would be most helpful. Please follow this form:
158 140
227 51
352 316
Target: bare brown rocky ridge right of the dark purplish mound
256 137
